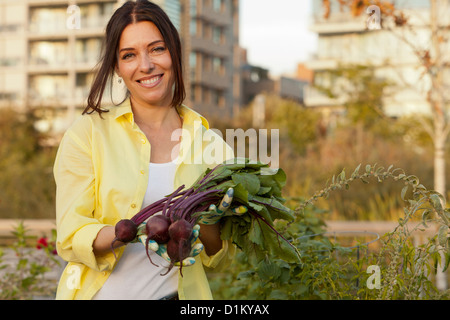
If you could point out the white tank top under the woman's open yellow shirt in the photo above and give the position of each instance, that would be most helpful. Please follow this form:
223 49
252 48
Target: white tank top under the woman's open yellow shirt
135 277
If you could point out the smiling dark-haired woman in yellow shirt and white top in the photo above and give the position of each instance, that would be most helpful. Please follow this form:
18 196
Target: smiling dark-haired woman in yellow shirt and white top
113 162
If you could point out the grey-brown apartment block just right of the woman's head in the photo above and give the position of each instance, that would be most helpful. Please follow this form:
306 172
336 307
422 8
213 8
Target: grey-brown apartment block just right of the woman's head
212 47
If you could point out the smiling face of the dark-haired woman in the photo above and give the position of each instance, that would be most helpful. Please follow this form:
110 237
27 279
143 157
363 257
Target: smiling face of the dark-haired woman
145 65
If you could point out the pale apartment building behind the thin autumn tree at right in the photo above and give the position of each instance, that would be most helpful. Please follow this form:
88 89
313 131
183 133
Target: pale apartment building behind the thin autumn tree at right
347 40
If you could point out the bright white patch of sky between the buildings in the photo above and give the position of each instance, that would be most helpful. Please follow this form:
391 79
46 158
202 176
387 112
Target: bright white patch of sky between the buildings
275 33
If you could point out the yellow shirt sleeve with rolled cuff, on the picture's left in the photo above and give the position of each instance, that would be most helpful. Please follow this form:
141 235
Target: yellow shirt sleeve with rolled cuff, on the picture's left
75 202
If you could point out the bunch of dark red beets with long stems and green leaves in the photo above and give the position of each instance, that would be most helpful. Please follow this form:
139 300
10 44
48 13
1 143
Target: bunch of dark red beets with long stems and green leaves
255 186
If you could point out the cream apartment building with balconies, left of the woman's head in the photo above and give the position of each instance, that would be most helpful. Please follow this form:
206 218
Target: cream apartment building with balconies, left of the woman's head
48 49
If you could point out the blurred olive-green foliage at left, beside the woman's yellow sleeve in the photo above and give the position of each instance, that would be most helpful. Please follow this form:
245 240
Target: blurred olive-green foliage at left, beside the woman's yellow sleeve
26 182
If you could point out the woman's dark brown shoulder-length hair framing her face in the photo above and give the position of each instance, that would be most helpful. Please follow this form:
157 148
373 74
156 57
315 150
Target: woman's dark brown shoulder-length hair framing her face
133 12
